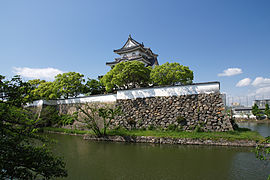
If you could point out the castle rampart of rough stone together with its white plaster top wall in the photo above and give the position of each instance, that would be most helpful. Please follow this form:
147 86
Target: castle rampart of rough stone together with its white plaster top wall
191 107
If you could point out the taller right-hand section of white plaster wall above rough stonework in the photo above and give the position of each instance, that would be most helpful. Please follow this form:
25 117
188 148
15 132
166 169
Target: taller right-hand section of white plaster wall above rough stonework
169 91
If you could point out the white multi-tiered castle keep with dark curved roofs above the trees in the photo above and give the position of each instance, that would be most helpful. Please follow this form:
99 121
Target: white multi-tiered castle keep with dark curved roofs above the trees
133 50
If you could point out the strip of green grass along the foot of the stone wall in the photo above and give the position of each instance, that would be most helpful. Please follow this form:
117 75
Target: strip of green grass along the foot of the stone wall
241 134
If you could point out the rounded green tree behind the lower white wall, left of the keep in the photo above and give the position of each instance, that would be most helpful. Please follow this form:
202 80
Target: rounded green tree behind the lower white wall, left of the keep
69 84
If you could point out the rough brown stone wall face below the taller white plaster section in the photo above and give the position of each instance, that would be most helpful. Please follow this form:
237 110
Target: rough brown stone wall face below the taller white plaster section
187 112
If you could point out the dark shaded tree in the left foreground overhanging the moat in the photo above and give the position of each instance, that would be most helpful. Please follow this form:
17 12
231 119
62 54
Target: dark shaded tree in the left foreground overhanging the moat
23 153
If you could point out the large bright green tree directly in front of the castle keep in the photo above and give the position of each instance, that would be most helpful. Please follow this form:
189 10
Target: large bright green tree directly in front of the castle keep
126 75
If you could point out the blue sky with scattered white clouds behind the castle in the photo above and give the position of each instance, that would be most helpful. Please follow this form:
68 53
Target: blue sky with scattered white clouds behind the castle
209 36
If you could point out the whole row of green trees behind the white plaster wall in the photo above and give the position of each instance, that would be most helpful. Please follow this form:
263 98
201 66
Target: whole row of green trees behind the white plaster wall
124 75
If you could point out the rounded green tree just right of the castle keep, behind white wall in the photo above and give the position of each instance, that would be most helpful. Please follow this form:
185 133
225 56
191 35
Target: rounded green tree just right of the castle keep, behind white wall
171 74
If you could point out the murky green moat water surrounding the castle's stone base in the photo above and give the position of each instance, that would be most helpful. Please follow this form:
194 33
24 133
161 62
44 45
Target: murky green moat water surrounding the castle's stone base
123 161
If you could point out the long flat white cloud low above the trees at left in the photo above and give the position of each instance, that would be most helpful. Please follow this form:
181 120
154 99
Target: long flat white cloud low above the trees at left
37 73
